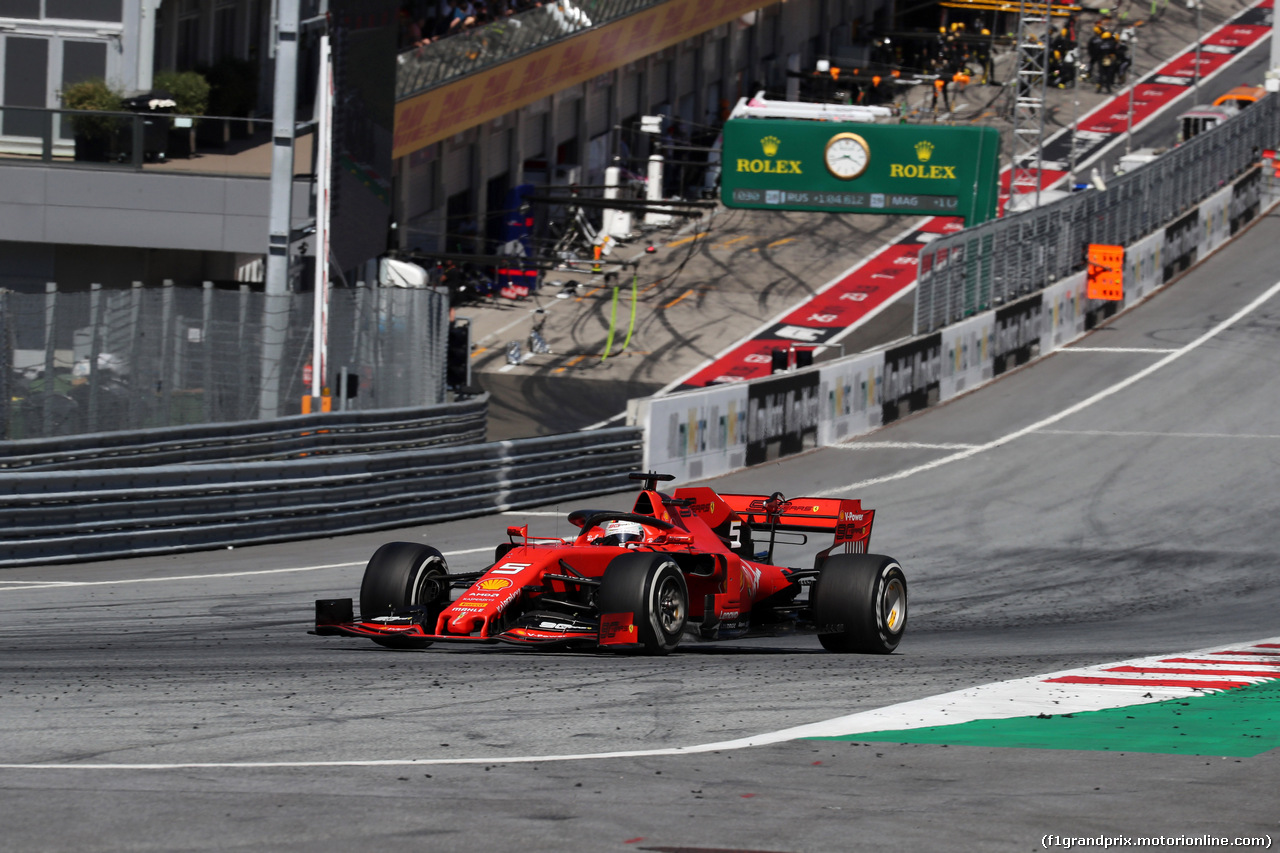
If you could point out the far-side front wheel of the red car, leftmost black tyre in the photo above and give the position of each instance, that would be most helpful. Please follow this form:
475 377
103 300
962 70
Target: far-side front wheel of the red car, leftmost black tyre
403 576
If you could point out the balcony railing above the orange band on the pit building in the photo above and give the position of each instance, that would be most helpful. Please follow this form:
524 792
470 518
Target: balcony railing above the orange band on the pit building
458 56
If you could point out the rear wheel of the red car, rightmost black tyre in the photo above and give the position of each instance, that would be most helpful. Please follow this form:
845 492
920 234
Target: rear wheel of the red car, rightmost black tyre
860 604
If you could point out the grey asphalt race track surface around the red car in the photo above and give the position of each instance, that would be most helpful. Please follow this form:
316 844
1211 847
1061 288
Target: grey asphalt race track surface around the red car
1140 524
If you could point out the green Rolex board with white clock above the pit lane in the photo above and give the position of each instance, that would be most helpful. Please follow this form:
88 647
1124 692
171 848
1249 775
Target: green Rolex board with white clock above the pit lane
856 167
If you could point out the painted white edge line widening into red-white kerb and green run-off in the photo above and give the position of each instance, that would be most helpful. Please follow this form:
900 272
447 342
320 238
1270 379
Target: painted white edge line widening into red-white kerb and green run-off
941 719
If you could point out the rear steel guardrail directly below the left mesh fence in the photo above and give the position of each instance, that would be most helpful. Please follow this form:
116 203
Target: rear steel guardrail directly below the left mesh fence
300 436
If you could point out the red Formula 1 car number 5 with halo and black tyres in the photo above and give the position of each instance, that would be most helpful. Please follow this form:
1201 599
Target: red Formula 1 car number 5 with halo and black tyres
676 567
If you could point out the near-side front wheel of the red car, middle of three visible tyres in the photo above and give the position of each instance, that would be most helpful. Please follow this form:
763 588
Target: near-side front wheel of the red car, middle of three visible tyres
652 589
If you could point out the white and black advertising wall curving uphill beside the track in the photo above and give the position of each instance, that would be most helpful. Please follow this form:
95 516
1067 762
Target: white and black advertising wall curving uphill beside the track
715 431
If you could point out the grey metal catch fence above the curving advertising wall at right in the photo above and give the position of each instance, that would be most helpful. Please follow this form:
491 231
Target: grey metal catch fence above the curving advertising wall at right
995 263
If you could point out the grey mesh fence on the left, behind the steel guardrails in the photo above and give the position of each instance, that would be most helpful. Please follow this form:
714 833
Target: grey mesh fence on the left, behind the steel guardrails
163 357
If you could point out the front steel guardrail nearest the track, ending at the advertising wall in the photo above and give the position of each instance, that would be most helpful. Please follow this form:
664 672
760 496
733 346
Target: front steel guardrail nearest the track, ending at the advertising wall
60 517
